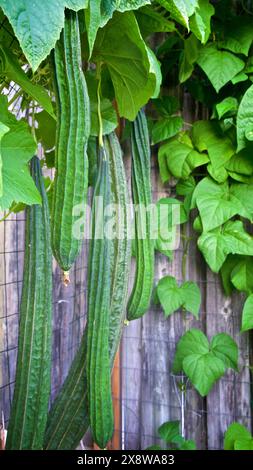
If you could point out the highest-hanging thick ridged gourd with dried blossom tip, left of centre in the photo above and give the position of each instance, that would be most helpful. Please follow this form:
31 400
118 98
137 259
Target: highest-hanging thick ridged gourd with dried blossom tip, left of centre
72 133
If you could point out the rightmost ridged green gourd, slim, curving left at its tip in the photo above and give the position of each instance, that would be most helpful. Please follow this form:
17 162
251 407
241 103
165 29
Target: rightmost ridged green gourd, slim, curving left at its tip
144 244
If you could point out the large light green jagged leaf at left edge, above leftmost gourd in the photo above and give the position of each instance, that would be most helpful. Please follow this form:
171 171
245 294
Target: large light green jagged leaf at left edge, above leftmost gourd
17 148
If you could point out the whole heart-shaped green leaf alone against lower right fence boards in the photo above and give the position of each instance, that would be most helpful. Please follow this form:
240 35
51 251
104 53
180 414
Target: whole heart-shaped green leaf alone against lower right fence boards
203 362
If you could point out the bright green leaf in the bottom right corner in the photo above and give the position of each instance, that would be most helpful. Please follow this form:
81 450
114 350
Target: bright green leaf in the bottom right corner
237 437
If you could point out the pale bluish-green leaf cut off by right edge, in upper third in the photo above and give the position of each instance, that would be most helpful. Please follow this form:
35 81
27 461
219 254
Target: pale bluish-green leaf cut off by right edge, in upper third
244 122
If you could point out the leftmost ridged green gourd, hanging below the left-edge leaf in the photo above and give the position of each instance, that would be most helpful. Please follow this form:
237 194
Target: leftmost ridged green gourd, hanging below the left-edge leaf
32 386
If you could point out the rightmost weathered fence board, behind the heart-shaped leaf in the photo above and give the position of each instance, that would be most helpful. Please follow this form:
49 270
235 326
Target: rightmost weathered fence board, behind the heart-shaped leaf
229 400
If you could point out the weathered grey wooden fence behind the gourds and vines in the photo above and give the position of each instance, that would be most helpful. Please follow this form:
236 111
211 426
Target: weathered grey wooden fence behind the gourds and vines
148 393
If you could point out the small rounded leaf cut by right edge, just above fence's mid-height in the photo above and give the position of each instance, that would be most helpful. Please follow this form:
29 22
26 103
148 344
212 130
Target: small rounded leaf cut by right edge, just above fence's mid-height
242 275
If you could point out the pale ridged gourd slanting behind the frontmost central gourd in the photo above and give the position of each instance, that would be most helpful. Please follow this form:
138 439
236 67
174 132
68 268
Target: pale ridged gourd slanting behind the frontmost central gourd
69 419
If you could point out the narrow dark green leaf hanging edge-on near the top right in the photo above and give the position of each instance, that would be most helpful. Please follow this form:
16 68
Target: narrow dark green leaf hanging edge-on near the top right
188 57
